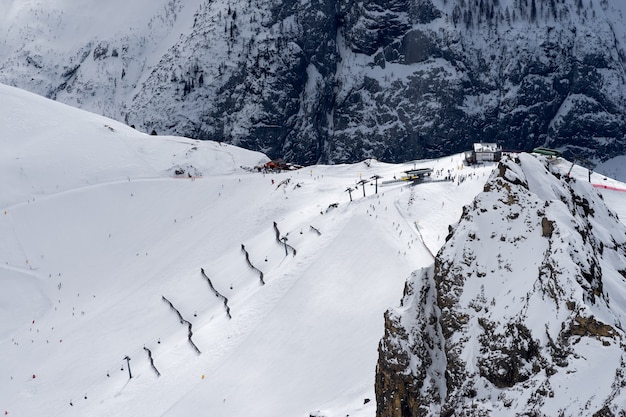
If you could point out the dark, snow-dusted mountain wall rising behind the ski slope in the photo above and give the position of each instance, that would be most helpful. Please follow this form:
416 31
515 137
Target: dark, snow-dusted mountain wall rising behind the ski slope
326 81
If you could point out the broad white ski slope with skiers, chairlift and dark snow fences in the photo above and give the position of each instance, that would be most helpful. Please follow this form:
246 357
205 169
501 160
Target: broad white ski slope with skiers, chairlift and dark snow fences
99 233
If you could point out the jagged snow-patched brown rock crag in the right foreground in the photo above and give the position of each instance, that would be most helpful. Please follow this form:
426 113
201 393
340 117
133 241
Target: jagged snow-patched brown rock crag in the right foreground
522 309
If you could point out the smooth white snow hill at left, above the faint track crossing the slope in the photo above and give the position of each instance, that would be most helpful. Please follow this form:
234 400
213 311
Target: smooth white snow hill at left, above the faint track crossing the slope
45 154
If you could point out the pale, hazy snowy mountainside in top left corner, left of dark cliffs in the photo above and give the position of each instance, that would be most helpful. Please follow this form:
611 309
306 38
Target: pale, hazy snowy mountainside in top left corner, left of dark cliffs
93 55
